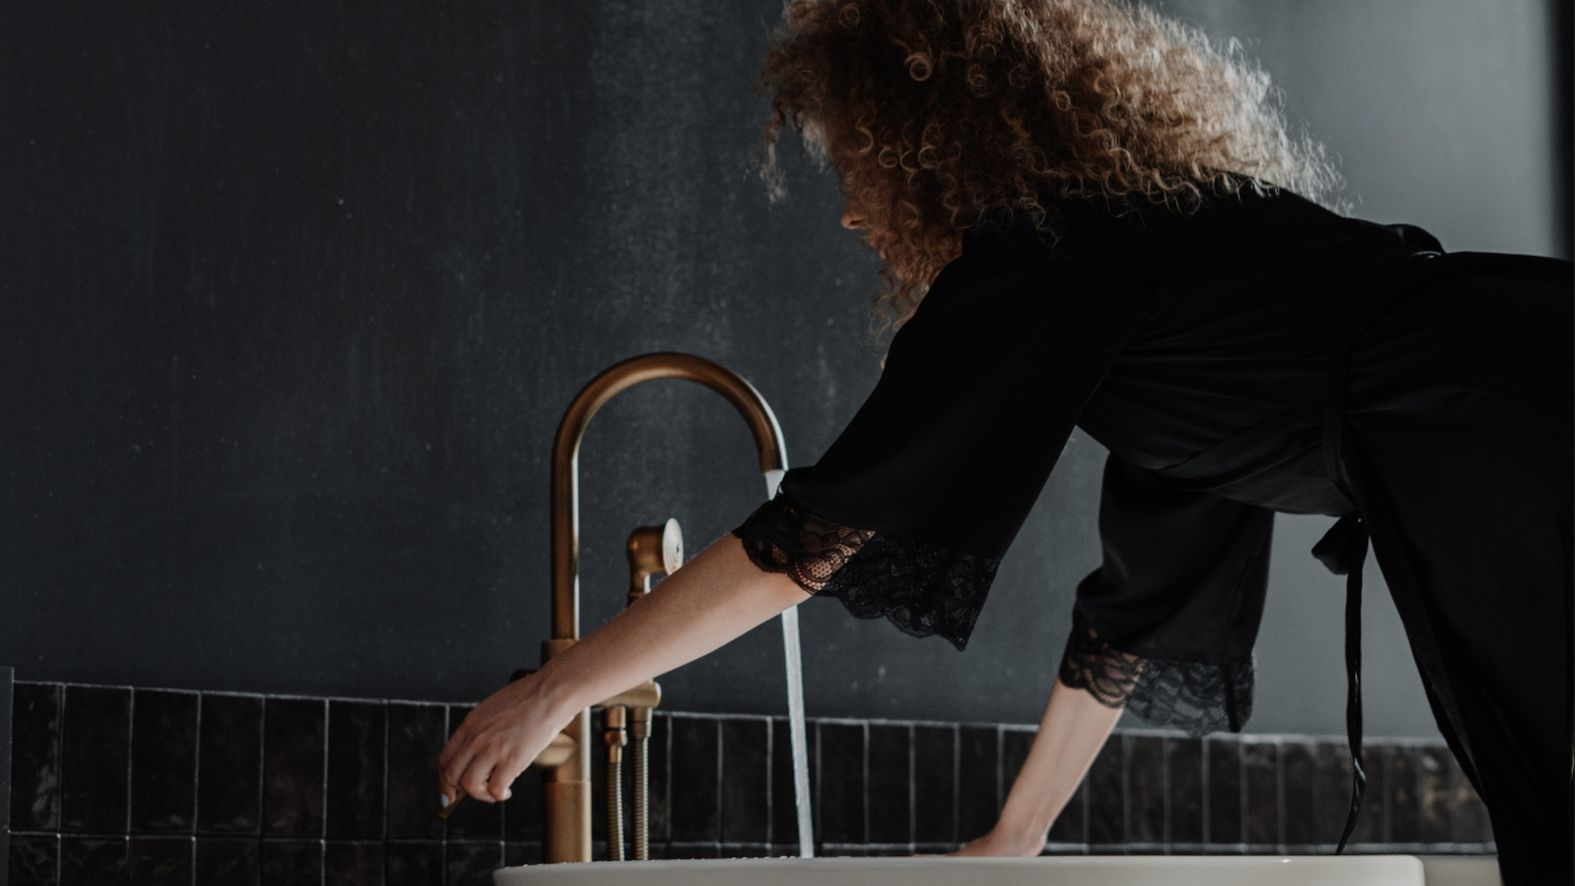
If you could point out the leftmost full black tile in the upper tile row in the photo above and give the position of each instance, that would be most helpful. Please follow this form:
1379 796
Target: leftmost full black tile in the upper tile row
35 756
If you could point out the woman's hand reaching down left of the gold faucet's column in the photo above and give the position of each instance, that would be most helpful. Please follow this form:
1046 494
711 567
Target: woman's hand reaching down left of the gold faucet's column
498 740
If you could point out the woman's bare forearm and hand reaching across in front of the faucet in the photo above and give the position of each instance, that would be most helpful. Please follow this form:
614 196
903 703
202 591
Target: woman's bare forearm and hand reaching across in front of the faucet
710 602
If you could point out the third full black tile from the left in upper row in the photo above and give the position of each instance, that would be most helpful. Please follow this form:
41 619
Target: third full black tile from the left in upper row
165 762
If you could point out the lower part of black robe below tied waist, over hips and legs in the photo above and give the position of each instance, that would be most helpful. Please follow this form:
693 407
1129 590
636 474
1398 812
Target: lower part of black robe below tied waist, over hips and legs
1461 456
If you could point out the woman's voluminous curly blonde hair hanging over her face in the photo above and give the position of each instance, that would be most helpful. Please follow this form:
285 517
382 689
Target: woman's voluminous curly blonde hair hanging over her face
946 114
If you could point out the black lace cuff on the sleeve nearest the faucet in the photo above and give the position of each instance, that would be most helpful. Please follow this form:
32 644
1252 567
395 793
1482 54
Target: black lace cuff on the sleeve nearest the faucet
922 588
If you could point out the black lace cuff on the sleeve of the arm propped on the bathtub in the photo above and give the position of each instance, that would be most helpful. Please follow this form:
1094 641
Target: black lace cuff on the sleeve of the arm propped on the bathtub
1193 696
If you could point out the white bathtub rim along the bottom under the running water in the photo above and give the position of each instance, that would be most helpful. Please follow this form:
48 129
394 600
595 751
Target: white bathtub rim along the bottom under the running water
1045 871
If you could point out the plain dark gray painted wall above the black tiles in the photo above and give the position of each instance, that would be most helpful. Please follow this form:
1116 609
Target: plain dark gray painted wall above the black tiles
295 297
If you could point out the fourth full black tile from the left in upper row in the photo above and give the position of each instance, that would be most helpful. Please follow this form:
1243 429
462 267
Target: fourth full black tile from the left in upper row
231 766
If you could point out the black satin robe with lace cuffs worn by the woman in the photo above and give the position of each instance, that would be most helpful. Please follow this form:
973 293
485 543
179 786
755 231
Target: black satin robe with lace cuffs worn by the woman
1262 355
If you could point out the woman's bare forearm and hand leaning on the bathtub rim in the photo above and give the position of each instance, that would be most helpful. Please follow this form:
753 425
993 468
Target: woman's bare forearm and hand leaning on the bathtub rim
1070 737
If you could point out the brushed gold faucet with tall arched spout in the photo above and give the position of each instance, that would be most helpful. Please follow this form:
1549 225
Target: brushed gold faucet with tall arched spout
566 762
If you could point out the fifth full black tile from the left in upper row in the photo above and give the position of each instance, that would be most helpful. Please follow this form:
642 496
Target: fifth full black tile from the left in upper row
294 759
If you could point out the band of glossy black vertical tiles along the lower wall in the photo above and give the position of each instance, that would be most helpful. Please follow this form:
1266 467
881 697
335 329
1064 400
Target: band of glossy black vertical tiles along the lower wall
215 788
